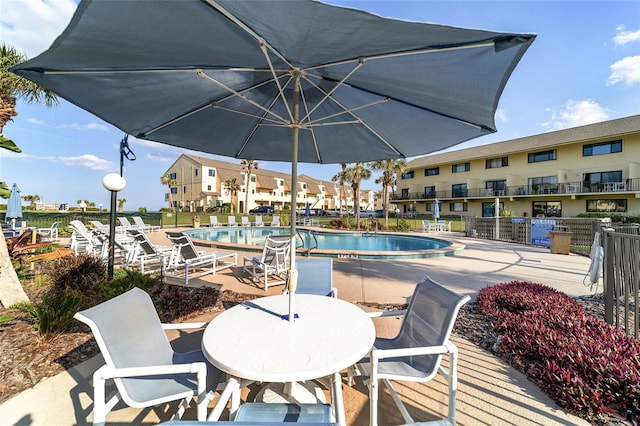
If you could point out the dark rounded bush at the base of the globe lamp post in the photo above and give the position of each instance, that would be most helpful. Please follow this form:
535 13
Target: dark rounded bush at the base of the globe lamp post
83 273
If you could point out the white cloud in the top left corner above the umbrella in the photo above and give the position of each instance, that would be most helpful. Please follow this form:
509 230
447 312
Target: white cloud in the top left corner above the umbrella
31 26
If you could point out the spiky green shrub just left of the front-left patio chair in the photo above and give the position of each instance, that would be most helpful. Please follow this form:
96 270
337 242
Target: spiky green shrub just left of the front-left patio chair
54 313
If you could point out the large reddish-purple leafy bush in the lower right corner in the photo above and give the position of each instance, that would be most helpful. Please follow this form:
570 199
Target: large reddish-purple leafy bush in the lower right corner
584 364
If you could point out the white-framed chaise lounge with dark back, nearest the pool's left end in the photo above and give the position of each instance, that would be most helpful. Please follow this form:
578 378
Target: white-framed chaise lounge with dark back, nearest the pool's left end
187 262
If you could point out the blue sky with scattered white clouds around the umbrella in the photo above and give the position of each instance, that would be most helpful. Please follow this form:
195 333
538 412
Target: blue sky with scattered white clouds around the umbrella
583 68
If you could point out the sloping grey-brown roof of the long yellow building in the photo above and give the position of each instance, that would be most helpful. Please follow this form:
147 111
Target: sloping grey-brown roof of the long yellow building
604 130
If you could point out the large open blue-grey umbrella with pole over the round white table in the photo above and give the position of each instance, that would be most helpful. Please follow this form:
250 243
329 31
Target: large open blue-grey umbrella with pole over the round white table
279 80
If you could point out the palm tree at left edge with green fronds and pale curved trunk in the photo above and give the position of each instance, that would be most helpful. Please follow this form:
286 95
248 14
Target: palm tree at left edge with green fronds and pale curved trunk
13 87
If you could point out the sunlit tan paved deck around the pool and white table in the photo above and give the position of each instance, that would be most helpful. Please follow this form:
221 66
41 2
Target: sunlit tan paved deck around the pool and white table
490 392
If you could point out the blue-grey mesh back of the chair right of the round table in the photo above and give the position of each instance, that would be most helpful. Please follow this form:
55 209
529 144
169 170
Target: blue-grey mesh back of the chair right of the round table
429 321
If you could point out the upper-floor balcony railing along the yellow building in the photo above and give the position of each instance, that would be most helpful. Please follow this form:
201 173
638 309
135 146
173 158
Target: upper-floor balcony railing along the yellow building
565 188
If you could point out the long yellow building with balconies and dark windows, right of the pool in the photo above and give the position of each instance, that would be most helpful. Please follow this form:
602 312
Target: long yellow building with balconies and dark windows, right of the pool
592 168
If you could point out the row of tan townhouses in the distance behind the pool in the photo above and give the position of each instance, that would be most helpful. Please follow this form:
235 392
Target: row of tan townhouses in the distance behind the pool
198 185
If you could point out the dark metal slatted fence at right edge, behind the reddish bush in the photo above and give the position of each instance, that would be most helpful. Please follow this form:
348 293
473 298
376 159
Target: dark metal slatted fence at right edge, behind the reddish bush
622 277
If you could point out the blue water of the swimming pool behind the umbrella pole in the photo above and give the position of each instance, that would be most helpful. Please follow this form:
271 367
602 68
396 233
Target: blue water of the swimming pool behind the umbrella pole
319 241
